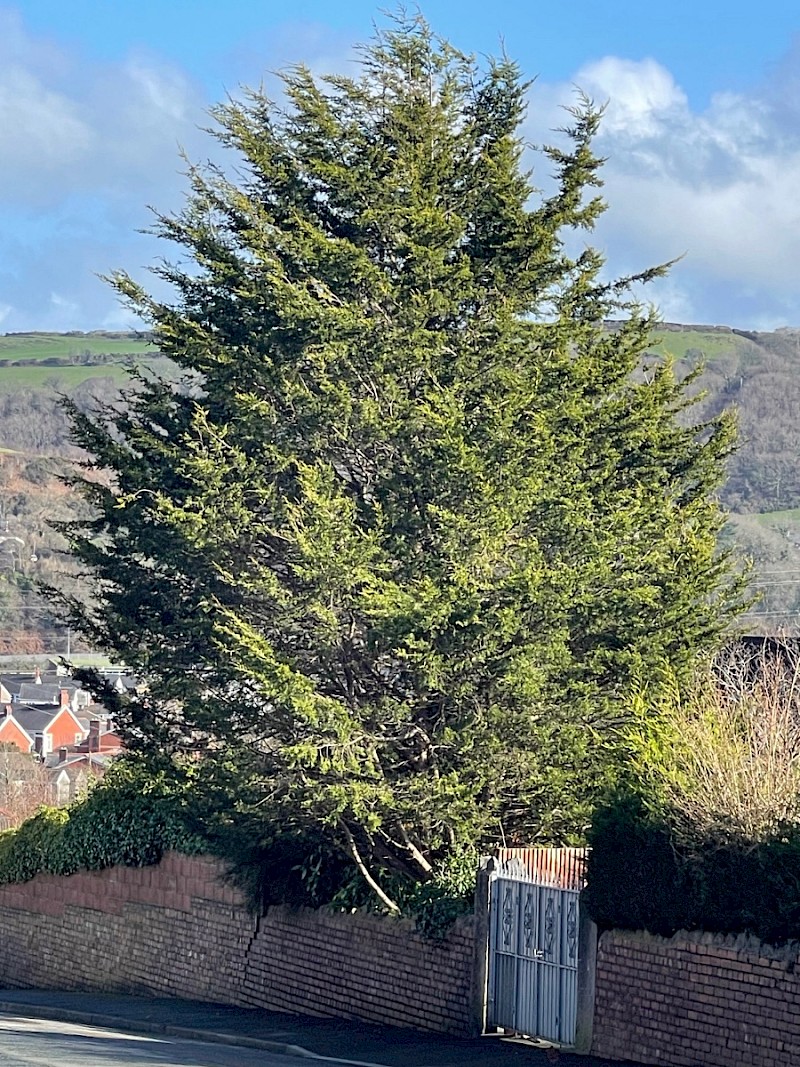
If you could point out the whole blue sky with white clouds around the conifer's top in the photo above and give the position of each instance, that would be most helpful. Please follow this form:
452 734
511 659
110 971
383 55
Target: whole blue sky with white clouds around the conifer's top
702 133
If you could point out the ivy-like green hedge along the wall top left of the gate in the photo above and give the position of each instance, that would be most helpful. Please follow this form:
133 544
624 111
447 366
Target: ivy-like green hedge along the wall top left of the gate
135 816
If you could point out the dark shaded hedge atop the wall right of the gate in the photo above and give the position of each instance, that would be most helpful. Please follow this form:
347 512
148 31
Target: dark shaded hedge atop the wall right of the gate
641 878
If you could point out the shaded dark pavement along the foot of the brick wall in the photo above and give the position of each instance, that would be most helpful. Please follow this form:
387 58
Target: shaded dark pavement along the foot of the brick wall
305 1037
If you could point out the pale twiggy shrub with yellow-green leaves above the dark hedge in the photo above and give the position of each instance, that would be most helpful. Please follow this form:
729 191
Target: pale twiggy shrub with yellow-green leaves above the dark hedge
726 761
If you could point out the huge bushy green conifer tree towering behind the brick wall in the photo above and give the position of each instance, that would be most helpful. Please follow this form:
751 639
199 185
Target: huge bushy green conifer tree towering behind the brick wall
392 552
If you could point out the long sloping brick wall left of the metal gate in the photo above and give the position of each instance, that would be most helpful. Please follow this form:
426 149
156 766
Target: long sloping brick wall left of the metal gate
179 931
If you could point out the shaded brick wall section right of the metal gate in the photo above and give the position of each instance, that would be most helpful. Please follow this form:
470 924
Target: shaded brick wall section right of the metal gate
697 999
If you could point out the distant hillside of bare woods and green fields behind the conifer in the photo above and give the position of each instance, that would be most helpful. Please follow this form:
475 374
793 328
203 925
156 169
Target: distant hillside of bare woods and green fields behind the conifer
757 373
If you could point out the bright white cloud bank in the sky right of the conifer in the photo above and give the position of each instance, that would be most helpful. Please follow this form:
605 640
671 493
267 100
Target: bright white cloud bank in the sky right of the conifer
718 186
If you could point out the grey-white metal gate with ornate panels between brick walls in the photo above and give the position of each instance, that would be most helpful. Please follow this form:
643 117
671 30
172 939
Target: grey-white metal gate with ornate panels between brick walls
534 944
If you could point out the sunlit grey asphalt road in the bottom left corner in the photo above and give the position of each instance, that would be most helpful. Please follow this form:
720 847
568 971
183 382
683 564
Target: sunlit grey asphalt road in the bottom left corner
39 1043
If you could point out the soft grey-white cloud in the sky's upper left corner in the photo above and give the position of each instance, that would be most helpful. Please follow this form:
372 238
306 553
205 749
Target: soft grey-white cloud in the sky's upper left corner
69 126
